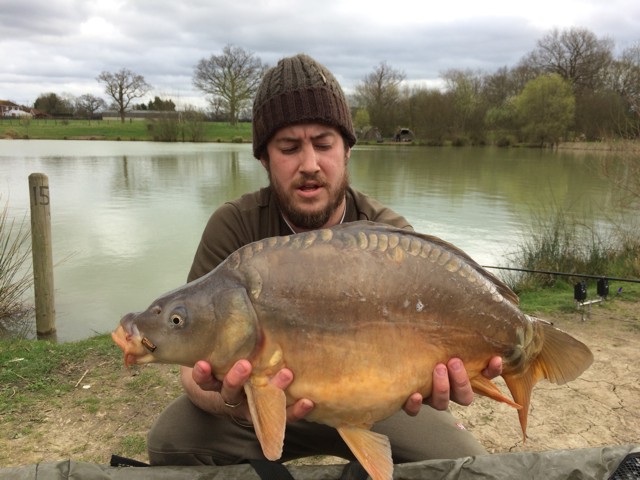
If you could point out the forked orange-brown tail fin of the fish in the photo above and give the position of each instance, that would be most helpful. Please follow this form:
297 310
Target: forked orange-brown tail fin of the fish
562 359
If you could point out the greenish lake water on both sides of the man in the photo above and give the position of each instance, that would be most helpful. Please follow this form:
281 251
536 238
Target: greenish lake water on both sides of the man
127 216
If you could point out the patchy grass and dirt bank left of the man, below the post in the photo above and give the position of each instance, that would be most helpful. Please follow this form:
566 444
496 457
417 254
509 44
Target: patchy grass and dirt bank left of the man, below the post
77 400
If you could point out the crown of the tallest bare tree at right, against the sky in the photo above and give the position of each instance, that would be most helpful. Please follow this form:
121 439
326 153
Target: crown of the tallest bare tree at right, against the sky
576 54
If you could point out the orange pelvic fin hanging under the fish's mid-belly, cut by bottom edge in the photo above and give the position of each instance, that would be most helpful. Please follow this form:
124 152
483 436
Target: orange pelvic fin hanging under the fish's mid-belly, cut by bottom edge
372 450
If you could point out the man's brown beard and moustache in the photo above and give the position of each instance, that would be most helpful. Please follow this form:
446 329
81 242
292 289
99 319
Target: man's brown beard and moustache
310 220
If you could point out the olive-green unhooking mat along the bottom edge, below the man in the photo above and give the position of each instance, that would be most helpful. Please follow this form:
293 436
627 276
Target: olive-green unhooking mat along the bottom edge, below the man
614 462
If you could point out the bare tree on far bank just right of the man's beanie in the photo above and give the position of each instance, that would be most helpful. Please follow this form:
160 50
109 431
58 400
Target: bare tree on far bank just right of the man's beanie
380 93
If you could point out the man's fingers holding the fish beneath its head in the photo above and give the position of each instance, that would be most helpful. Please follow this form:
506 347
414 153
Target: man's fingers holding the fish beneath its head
231 388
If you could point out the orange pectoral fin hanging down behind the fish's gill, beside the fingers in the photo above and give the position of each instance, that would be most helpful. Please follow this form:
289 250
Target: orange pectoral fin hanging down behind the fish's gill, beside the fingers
268 407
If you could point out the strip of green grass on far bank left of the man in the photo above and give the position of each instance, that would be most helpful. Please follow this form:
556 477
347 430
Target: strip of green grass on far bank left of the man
111 130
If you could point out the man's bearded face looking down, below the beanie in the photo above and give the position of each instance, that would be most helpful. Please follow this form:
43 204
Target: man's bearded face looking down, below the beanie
307 165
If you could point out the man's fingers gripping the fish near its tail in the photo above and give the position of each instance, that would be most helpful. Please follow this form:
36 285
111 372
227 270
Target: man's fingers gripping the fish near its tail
450 383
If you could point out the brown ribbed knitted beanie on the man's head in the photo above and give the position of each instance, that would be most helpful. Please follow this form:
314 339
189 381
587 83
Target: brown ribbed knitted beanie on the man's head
298 89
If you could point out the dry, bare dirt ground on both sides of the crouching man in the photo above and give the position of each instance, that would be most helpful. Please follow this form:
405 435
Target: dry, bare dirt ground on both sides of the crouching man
110 411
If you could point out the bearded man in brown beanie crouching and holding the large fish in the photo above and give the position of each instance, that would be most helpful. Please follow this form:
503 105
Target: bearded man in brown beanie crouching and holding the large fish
302 134
